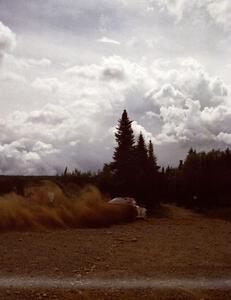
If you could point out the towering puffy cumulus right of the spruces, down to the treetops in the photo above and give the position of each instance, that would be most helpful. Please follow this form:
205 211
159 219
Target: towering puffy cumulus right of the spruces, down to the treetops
192 105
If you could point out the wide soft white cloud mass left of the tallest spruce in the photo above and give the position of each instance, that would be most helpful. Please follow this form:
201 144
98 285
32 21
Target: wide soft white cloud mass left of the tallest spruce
74 132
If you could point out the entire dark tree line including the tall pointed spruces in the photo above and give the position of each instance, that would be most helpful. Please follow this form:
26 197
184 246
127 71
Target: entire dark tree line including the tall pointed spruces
202 180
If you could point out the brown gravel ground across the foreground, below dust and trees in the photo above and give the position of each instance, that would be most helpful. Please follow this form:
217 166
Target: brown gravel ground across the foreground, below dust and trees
181 246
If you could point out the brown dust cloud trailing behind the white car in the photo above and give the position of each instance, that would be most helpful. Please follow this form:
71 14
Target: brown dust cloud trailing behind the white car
46 206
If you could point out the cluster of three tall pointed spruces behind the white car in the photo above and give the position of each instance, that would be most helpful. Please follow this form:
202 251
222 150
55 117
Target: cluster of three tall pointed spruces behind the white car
134 167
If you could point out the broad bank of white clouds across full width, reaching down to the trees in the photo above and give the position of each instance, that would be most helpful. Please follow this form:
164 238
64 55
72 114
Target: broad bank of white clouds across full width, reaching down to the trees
175 103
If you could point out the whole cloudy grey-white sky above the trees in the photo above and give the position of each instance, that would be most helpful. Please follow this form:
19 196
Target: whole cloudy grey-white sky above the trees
69 68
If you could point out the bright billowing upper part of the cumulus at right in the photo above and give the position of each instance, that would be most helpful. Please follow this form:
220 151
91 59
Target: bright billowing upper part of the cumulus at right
185 79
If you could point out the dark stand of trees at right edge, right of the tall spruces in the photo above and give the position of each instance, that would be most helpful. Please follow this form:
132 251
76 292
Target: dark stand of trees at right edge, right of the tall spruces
202 180
